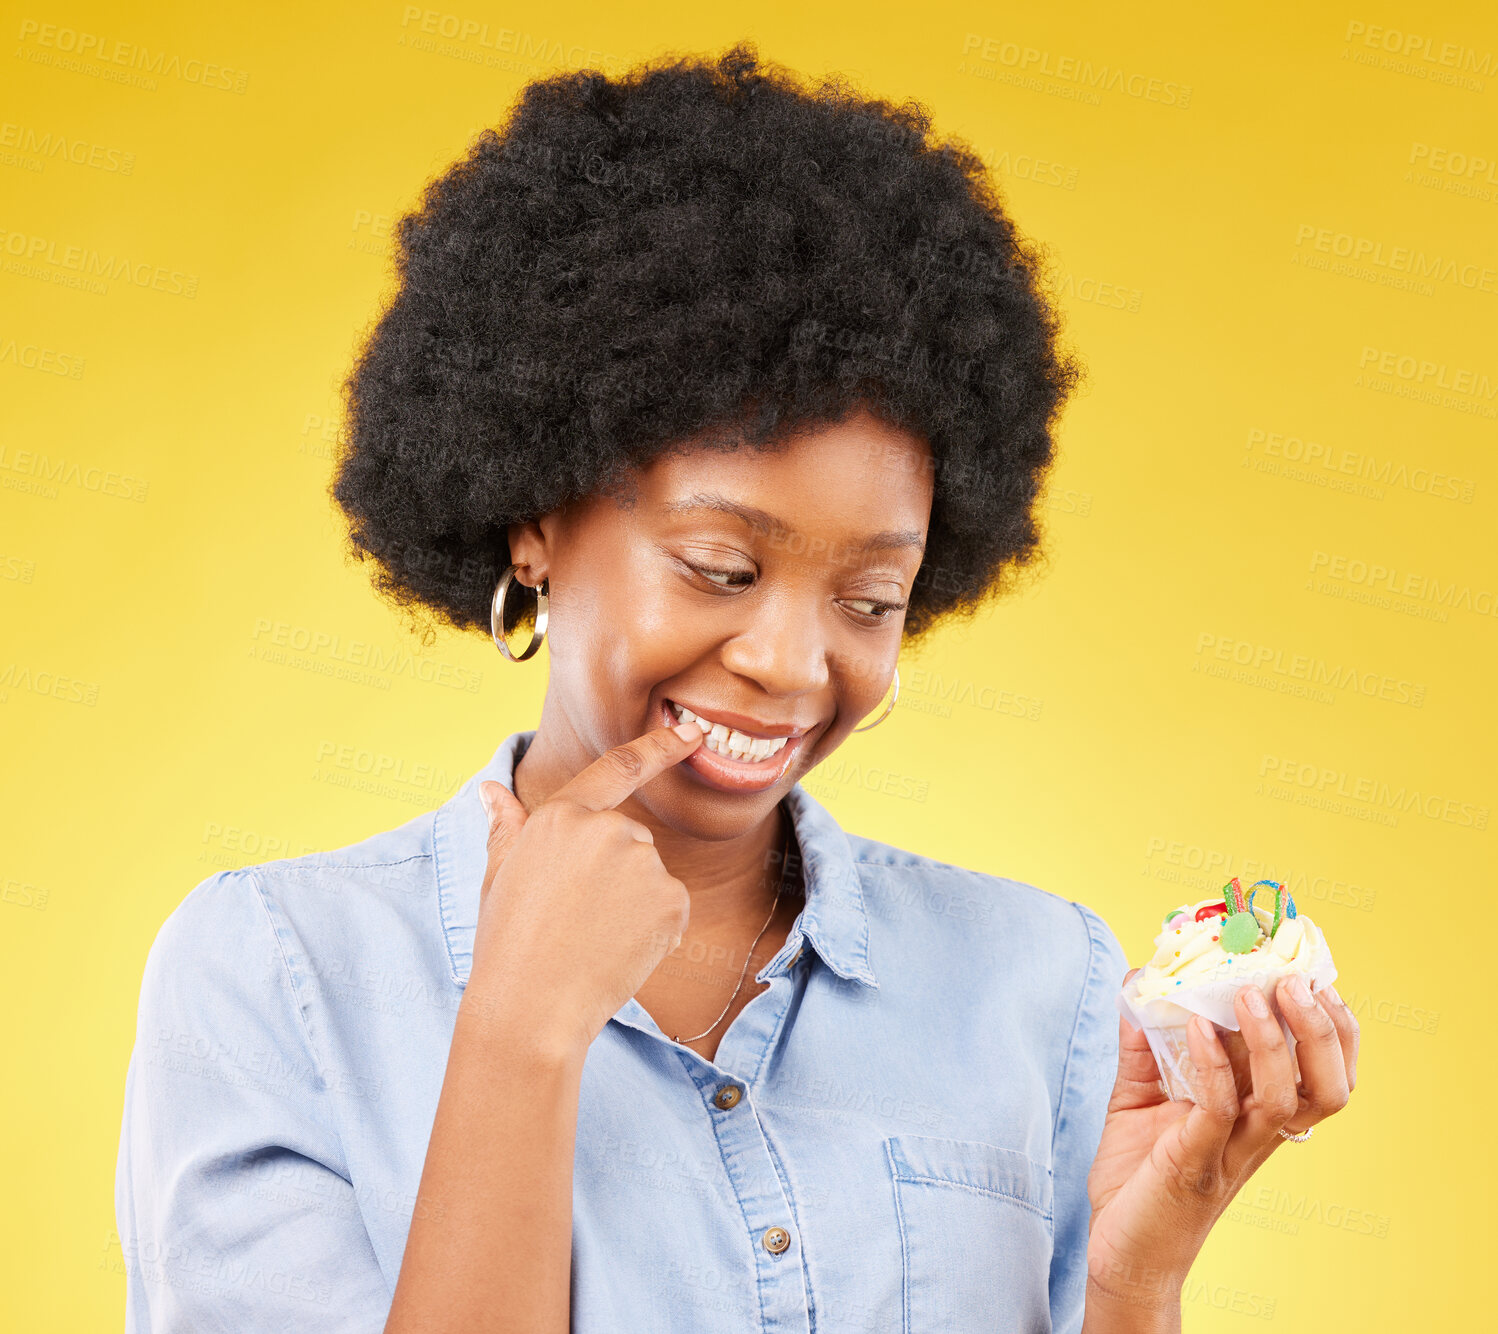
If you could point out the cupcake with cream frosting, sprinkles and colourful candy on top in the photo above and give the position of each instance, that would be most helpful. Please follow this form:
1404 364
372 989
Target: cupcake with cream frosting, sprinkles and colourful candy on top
1210 950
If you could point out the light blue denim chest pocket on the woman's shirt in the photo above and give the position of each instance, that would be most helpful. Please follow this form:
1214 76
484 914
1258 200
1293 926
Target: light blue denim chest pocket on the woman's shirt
976 1236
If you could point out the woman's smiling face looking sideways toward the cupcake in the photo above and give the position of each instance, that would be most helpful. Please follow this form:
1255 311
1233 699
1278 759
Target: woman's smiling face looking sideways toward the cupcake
763 591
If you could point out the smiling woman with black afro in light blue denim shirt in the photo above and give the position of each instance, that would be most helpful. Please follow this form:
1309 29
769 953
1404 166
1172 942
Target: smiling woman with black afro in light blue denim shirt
726 390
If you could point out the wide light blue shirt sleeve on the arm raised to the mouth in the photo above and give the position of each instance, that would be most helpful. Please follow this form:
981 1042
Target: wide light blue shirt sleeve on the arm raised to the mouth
234 1206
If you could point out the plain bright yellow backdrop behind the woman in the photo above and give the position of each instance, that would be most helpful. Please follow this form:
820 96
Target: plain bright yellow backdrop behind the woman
1087 737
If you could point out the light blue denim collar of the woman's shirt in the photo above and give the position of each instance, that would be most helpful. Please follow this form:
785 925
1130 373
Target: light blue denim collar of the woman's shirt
835 920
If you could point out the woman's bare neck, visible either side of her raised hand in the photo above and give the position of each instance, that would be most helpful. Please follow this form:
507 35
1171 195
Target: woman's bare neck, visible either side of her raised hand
730 880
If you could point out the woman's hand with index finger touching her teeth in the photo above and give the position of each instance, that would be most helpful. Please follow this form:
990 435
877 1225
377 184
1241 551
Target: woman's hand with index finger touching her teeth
577 908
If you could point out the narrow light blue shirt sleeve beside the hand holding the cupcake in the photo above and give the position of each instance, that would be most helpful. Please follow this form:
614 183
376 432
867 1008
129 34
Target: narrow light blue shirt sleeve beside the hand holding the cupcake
1087 1088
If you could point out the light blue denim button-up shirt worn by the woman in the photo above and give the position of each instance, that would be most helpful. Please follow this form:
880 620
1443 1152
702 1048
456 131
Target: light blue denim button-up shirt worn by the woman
894 1137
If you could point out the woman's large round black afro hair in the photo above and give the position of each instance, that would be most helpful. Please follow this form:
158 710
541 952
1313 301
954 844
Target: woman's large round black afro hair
696 254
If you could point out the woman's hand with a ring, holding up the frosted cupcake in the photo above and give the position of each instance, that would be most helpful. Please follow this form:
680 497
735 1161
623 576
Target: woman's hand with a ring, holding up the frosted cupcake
1168 1170
